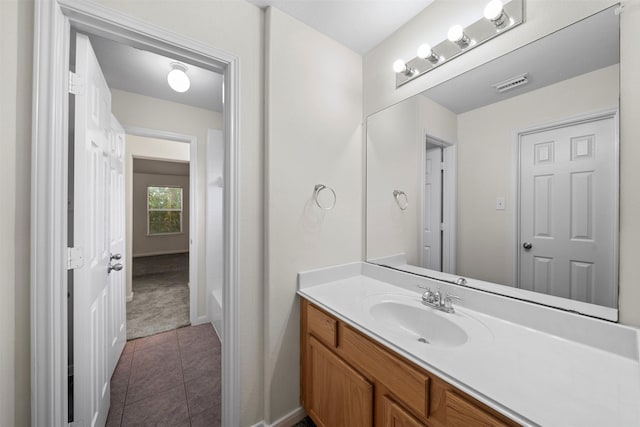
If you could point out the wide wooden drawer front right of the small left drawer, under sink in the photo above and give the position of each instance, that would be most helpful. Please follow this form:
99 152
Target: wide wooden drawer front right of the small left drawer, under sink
405 382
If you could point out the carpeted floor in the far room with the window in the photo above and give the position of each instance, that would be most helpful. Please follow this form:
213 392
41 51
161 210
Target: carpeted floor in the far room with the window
160 295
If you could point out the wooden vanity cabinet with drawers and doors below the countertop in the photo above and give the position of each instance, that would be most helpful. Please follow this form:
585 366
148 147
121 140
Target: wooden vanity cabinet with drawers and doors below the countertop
349 380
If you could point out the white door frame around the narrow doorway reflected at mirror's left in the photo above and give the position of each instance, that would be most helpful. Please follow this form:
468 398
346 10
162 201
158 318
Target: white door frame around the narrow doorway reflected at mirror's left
448 199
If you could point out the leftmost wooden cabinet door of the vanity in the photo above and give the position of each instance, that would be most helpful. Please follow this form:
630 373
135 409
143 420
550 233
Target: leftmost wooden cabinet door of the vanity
337 395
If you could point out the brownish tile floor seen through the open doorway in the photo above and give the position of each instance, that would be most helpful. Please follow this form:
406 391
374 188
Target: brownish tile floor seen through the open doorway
170 379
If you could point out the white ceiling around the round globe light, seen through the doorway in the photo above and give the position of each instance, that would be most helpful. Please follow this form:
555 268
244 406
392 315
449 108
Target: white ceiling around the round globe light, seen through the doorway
133 70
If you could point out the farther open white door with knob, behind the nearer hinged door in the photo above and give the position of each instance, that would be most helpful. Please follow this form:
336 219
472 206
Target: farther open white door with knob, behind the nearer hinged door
117 280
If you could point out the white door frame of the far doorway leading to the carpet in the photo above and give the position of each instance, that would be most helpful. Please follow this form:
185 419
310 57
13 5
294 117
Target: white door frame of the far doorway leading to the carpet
193 210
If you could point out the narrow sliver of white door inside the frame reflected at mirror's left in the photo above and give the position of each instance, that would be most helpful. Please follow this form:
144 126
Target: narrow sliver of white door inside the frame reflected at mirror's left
432 209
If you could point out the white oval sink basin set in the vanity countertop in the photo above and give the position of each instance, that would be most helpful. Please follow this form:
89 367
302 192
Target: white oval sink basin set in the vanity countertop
402 317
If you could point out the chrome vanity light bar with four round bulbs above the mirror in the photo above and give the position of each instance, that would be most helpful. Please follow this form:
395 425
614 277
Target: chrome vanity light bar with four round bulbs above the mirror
497 19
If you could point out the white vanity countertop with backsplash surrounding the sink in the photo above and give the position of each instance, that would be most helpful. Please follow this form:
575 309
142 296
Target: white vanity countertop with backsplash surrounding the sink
531 376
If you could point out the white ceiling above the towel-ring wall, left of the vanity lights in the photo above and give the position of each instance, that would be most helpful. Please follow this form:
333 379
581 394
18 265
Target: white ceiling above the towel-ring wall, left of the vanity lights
358 24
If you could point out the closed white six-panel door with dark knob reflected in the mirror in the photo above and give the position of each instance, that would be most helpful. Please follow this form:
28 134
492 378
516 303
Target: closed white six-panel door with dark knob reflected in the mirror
567 211
